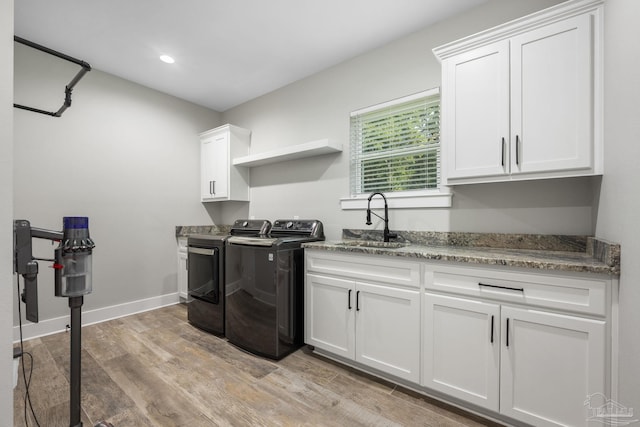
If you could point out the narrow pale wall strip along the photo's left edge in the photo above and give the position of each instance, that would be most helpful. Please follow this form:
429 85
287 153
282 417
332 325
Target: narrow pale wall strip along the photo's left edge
6 211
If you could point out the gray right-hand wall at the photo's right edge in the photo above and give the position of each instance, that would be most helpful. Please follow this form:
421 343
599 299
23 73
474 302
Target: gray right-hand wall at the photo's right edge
619 206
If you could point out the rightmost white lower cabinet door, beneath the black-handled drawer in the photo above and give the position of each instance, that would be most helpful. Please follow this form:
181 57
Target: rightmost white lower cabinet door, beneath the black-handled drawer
550 364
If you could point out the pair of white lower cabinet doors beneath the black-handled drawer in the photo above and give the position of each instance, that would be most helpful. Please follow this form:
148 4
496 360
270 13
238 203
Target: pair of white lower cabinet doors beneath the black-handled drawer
534 366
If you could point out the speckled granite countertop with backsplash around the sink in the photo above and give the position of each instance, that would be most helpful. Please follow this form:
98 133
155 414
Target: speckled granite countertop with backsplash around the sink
547 252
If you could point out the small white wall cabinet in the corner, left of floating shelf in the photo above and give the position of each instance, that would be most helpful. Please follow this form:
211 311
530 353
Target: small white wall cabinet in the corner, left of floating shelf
220 179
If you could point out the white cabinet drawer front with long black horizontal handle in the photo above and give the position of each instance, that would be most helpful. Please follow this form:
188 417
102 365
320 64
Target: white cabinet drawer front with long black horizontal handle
558 292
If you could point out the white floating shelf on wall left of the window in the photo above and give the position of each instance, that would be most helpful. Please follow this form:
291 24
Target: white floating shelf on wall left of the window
309 149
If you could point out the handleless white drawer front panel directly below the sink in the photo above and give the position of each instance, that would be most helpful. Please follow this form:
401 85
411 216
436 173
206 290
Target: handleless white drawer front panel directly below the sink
367 268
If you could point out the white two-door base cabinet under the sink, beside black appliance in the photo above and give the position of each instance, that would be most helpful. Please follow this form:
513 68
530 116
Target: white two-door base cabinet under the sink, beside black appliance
374 323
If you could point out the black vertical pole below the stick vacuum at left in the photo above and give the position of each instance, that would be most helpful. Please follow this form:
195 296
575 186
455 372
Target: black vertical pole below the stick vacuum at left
75 304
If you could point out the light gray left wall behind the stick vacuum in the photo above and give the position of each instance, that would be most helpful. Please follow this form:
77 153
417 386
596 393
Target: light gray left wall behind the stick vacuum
123 155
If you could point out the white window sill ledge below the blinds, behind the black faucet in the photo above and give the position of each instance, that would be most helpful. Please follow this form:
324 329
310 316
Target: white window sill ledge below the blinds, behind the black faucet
438 198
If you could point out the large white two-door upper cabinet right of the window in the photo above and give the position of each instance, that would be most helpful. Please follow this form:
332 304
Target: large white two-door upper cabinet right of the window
523 100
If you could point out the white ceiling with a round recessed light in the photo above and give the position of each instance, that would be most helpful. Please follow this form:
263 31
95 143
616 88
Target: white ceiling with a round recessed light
226 51
